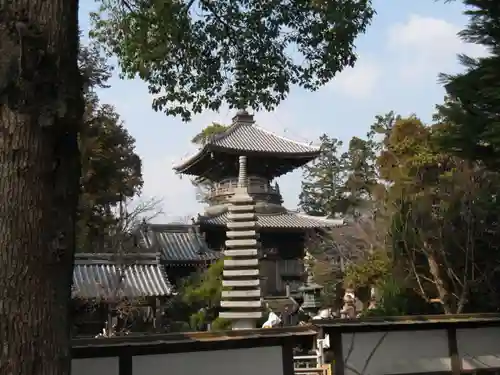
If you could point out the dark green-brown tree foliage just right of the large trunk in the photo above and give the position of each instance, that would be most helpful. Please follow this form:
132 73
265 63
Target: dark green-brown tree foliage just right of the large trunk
111 170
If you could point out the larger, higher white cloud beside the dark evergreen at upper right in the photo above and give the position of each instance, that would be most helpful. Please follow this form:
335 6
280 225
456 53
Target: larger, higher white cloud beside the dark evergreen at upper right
425 46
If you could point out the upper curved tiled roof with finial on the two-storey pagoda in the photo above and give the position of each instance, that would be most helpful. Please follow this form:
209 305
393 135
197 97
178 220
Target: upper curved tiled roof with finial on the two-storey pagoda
243 137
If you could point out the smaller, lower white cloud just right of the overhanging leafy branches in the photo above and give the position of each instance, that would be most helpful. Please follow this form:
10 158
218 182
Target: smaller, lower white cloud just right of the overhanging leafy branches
358 82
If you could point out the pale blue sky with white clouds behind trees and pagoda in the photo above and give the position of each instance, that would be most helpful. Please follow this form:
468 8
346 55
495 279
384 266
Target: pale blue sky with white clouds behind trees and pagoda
399 58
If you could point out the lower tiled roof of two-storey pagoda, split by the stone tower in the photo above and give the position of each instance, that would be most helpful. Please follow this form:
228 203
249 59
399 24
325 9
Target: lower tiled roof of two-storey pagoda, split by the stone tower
281 220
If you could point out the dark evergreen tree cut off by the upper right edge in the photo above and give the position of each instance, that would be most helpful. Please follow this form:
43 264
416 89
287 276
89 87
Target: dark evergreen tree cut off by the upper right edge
472 107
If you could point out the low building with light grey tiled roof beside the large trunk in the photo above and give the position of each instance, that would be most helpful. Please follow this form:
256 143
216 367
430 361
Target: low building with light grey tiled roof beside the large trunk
118 292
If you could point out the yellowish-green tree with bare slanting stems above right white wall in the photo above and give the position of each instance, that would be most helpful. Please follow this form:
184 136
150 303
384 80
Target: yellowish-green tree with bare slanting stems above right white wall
443 215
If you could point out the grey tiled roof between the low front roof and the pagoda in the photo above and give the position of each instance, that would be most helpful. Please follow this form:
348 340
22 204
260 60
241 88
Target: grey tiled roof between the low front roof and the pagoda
177 243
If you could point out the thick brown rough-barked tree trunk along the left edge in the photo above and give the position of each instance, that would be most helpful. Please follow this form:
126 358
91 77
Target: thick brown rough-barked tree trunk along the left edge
40 111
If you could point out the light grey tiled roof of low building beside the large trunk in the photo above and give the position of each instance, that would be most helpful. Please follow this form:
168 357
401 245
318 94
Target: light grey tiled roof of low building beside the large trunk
99 276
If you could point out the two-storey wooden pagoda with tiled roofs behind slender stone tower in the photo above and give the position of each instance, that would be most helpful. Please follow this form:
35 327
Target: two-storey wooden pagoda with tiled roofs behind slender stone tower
281 233
